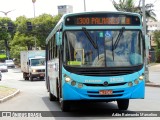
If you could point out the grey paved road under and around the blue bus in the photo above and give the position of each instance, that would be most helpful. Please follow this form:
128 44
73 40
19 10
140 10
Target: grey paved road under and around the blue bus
33 96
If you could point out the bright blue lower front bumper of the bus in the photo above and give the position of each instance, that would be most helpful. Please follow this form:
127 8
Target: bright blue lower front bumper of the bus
73 93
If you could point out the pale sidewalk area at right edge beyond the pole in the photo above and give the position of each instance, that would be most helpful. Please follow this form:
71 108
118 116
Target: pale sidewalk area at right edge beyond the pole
154 75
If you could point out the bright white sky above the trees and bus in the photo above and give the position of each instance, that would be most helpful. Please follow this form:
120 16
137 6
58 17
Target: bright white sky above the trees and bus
25 7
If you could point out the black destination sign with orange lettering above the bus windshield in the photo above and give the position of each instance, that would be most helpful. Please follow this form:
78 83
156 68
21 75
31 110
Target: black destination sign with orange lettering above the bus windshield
97 19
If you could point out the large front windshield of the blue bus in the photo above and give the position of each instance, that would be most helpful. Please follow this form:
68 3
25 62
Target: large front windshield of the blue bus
114 48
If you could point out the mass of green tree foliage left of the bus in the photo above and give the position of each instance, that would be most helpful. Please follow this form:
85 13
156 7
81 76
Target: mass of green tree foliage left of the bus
21 39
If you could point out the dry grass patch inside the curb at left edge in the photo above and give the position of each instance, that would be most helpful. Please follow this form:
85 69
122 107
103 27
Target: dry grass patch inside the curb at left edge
5 91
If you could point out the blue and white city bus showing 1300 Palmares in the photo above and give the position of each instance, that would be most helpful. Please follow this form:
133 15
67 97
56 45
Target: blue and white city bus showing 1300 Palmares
96 56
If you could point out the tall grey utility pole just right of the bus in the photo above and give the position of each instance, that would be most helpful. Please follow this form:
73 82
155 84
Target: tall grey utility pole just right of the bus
147 49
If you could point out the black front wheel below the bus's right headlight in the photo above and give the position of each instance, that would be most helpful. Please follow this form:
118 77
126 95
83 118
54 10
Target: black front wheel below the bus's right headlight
123 104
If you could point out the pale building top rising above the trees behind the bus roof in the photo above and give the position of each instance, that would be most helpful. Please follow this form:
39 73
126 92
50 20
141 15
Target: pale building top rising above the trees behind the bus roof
63 9
